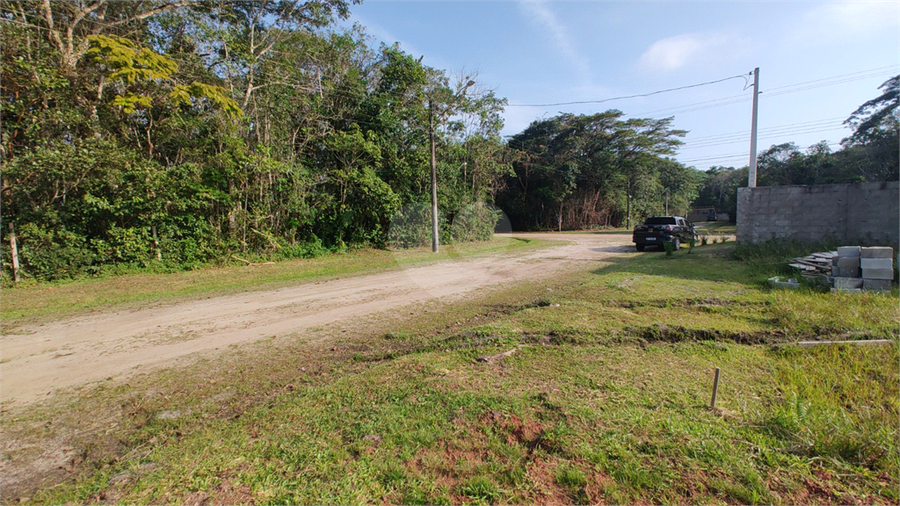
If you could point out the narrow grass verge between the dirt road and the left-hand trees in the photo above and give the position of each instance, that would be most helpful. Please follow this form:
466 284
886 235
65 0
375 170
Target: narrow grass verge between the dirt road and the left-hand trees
37 302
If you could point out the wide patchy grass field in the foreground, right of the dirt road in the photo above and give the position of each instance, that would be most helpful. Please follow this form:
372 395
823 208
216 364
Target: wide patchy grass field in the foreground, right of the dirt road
594 388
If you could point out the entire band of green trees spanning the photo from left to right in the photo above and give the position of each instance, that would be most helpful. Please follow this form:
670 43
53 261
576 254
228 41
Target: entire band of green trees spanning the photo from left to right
174 133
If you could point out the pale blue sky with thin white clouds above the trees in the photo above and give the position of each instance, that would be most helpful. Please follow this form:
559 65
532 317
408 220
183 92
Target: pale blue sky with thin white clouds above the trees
818 61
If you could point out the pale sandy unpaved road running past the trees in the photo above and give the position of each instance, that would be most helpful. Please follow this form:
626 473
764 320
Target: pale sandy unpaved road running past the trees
38 360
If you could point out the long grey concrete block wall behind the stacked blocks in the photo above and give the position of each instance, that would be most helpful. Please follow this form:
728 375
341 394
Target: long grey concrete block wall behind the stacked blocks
860 213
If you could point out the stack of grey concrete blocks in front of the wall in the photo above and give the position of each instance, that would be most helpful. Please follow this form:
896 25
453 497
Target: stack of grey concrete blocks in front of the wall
857 268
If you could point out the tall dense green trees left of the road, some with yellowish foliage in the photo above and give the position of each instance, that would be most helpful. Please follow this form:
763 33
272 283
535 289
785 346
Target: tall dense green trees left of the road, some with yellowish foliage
177 133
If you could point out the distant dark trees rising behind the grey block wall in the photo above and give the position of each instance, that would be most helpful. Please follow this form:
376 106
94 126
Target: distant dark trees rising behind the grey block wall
871 153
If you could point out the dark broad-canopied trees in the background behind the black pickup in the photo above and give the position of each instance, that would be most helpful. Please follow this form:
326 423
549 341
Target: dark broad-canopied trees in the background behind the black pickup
582 171
